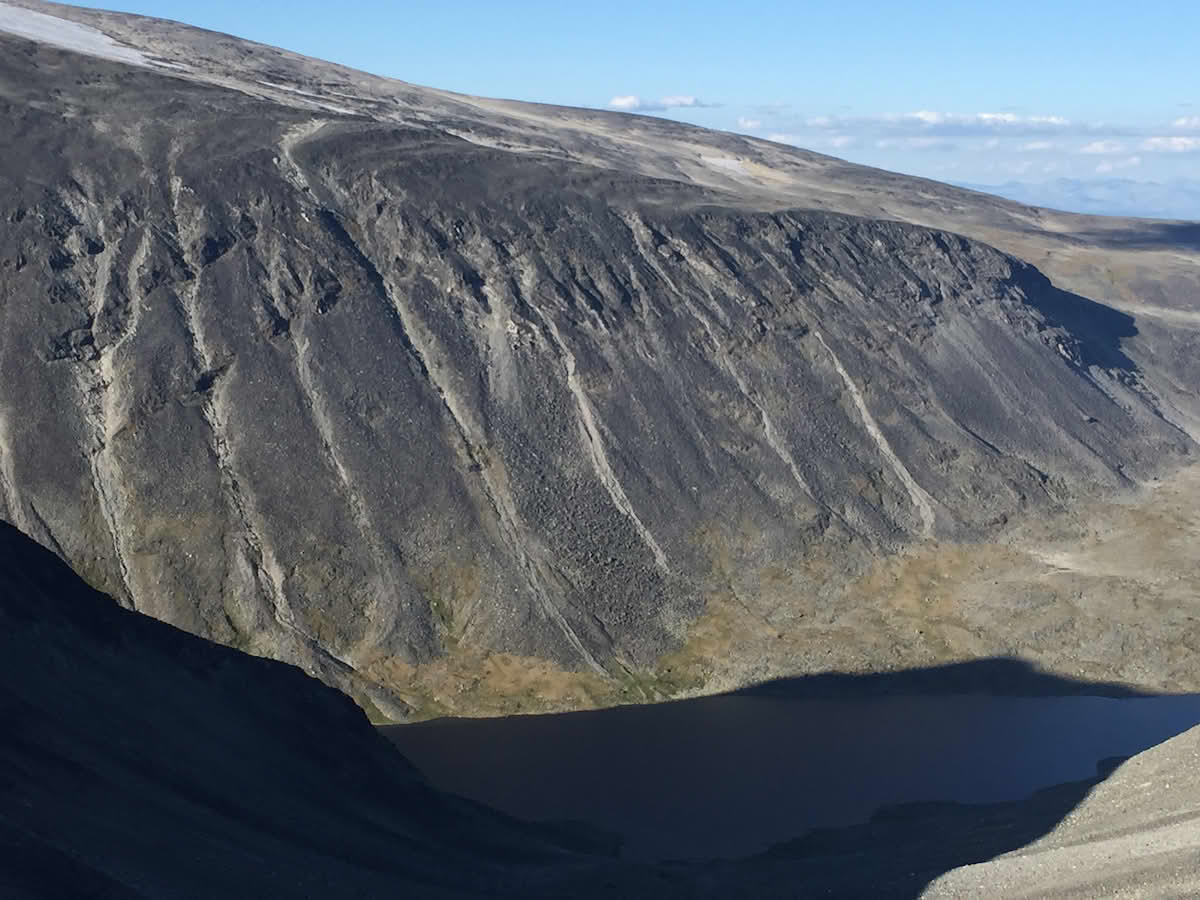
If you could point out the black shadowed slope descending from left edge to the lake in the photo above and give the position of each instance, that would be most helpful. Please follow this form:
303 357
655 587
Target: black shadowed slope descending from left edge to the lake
139 761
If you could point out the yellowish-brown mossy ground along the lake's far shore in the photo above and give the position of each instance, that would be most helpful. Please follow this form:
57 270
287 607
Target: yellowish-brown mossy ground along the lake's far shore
1067 593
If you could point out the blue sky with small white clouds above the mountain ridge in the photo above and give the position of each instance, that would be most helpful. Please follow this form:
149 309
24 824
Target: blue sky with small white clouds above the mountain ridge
963 92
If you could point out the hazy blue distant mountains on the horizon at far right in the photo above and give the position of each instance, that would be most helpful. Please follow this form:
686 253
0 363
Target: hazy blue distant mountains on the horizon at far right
1178 199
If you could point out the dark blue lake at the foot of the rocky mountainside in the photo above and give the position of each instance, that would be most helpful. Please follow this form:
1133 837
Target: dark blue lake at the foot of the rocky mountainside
731 776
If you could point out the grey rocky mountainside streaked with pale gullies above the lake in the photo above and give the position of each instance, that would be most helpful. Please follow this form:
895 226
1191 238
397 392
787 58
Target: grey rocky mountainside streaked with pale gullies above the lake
443 397
